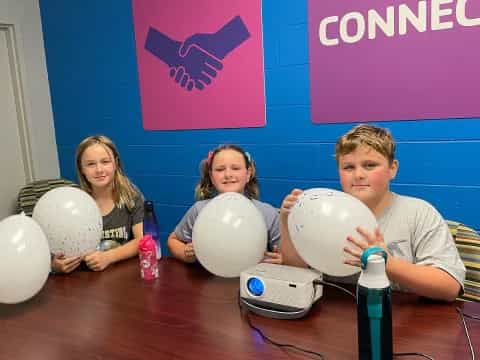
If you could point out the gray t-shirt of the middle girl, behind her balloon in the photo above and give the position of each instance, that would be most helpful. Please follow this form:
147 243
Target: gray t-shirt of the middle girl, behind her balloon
184 229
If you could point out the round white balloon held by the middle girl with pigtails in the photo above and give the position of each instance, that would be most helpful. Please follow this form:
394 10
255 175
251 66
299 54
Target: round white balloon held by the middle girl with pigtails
229 235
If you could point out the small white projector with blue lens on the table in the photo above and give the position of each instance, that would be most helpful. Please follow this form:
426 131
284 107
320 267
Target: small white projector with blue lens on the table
279 291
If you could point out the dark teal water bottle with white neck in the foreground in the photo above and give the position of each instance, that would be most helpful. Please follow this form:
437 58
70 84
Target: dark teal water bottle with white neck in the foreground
374 307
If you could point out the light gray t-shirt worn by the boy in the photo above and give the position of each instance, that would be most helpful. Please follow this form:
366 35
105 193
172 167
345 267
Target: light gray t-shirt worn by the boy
415 232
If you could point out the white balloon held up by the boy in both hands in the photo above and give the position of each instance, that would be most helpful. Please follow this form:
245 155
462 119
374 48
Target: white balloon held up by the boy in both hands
319 224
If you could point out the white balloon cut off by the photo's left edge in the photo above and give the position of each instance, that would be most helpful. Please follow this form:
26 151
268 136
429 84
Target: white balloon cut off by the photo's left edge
24 259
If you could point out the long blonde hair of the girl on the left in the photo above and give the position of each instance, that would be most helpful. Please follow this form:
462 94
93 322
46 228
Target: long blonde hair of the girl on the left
123 191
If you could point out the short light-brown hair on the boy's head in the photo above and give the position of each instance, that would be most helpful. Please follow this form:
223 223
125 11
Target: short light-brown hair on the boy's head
375 137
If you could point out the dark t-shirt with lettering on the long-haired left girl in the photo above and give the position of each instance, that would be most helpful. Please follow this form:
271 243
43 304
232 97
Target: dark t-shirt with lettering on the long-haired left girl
117 225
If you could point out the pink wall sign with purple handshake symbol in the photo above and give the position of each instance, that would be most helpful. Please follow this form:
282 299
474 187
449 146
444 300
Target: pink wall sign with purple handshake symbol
200 63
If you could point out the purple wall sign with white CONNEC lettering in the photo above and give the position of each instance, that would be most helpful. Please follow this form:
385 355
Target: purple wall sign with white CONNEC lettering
375 60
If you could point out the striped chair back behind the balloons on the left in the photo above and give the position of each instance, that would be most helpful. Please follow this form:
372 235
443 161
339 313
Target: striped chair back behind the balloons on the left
30 193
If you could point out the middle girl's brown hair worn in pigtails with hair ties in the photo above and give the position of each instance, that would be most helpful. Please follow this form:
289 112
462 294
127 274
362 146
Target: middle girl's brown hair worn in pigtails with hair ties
206 190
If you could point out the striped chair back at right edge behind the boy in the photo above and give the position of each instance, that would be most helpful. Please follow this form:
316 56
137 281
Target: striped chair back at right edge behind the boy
468 245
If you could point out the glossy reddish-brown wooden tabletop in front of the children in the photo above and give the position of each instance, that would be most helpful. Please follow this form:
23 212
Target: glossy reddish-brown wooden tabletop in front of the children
190 314
